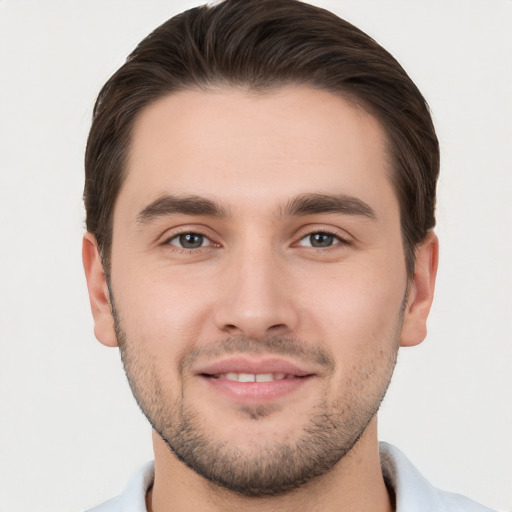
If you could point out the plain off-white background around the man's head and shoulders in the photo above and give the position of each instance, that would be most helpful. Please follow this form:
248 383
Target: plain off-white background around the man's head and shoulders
70 432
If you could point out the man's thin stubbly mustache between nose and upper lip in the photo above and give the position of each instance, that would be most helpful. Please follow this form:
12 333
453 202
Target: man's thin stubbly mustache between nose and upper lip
279 345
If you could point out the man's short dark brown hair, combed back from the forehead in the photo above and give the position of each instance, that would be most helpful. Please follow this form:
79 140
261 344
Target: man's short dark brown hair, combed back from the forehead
265 44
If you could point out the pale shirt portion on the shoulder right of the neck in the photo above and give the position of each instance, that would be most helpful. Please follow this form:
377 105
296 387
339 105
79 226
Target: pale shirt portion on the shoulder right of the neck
413 492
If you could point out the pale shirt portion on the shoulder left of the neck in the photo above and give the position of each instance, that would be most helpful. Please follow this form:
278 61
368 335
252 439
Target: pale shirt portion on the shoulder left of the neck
133 498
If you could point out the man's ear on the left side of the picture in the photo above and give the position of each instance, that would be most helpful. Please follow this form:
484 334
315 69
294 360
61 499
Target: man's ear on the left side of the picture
99 295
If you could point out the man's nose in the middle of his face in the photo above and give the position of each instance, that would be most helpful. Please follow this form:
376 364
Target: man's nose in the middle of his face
257 298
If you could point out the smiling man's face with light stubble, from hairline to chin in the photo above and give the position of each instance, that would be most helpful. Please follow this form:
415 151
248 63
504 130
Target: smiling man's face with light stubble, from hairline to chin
258 281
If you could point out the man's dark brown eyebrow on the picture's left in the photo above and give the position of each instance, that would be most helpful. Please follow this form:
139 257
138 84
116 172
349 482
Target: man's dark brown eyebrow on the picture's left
184 205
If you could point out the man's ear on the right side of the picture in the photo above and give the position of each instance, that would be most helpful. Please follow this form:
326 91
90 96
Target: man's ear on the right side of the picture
421 292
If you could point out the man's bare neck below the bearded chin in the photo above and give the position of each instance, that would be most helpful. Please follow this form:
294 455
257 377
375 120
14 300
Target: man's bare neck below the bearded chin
355 483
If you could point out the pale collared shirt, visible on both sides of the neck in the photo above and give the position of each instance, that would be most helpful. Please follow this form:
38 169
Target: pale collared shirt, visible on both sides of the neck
413 493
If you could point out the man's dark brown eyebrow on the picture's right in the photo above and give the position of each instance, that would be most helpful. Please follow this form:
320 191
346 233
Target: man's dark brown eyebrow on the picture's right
307 204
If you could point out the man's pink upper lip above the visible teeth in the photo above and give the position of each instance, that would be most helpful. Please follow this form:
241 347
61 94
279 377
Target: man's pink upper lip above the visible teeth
252 366
